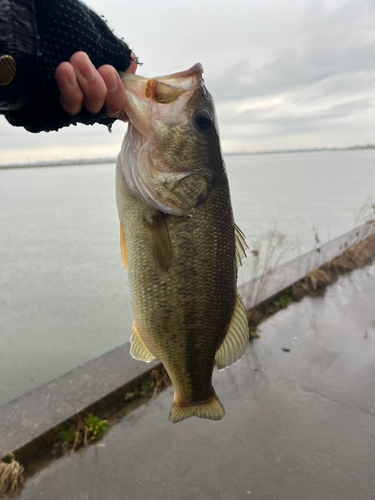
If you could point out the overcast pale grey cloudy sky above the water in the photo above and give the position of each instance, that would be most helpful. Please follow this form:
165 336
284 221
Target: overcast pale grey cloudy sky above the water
284 74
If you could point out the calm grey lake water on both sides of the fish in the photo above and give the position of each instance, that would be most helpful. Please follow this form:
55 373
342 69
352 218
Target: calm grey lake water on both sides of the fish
63 294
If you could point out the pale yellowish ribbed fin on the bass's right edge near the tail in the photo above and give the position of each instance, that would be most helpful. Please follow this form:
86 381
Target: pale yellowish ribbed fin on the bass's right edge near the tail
235 341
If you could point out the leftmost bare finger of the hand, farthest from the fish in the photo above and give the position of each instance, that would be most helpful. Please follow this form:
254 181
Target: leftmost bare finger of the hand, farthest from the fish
71 95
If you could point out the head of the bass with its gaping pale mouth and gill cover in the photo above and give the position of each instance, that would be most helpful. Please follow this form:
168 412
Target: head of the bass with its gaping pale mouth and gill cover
171 153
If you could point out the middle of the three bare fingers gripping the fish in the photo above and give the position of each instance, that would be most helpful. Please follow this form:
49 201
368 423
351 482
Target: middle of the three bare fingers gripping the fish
91 83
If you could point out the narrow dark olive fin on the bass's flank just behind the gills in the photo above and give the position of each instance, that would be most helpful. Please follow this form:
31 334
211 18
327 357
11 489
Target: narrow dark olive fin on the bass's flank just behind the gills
158 236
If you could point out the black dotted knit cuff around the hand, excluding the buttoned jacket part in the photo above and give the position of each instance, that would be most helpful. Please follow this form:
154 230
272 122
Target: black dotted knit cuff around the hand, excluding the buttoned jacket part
63 28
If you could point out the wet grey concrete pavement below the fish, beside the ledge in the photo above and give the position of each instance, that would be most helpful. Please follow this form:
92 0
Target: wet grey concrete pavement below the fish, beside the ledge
300 420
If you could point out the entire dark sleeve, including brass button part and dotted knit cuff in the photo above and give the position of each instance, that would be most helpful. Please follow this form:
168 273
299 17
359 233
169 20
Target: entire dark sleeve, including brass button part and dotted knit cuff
35 37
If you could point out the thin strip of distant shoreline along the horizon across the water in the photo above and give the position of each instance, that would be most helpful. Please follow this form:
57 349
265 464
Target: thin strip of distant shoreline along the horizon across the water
98 161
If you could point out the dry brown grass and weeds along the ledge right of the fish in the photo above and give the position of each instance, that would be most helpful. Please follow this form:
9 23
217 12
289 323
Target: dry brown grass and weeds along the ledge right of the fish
274 247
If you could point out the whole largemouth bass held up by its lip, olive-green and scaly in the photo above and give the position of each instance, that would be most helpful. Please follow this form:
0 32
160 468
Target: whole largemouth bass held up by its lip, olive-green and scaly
178 240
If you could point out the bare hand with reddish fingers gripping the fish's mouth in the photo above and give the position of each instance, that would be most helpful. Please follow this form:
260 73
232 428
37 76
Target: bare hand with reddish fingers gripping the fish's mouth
81 84
